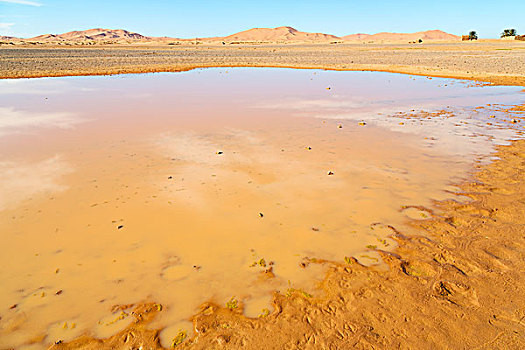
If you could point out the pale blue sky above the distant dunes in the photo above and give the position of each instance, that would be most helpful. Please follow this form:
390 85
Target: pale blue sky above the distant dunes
200 18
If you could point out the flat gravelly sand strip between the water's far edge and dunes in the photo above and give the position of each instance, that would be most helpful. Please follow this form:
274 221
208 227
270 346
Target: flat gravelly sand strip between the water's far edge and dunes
499 62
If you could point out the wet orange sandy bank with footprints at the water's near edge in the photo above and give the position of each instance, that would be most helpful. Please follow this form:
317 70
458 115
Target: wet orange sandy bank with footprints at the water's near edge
460 285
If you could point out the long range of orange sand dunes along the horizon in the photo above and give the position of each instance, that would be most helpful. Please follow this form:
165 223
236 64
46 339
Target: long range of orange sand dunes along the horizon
274 35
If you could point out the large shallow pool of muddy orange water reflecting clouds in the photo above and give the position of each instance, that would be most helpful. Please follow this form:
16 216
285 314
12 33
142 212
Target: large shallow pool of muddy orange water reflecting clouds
215 184
